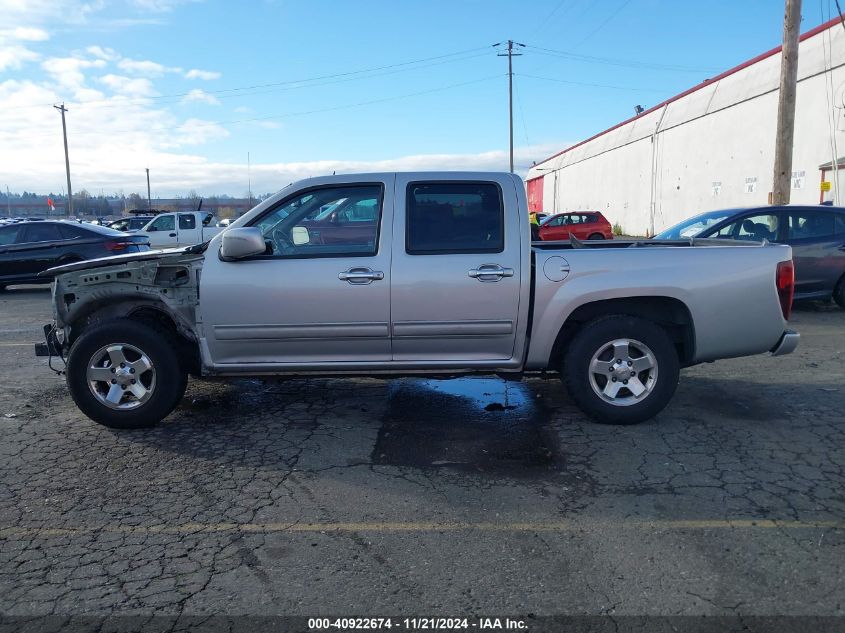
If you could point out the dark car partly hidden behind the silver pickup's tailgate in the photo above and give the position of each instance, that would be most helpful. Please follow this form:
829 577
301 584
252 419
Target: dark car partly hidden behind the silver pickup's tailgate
815 233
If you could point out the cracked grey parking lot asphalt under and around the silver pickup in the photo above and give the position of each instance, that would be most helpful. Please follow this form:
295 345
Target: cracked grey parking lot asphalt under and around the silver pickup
367 497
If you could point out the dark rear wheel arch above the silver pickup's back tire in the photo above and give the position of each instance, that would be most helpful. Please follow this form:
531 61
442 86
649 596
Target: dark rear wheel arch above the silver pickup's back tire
668 312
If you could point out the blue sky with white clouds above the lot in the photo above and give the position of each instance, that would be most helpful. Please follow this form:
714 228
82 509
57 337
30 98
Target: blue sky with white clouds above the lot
171 84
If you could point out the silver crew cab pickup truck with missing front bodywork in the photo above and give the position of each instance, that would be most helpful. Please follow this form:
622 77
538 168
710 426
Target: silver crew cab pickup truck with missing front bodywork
443 280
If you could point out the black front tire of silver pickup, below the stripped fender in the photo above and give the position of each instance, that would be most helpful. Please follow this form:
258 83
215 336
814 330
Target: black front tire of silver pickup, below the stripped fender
165 382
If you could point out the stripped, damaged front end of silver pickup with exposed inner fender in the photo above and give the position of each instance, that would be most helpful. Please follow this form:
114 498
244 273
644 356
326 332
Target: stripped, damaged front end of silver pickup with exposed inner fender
156 285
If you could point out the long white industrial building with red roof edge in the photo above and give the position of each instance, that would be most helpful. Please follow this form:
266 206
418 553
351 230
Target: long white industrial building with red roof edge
711 147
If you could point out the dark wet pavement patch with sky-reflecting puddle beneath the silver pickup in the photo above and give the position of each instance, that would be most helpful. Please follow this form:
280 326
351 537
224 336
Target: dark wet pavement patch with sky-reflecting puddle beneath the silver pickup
474 424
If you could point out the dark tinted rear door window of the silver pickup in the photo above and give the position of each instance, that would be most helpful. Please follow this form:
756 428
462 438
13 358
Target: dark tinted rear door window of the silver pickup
454 217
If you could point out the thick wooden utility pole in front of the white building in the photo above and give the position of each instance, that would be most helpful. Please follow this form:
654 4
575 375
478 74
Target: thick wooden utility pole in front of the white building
782 181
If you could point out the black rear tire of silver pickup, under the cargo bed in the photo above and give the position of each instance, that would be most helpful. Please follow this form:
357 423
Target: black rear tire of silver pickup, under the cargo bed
659 386
